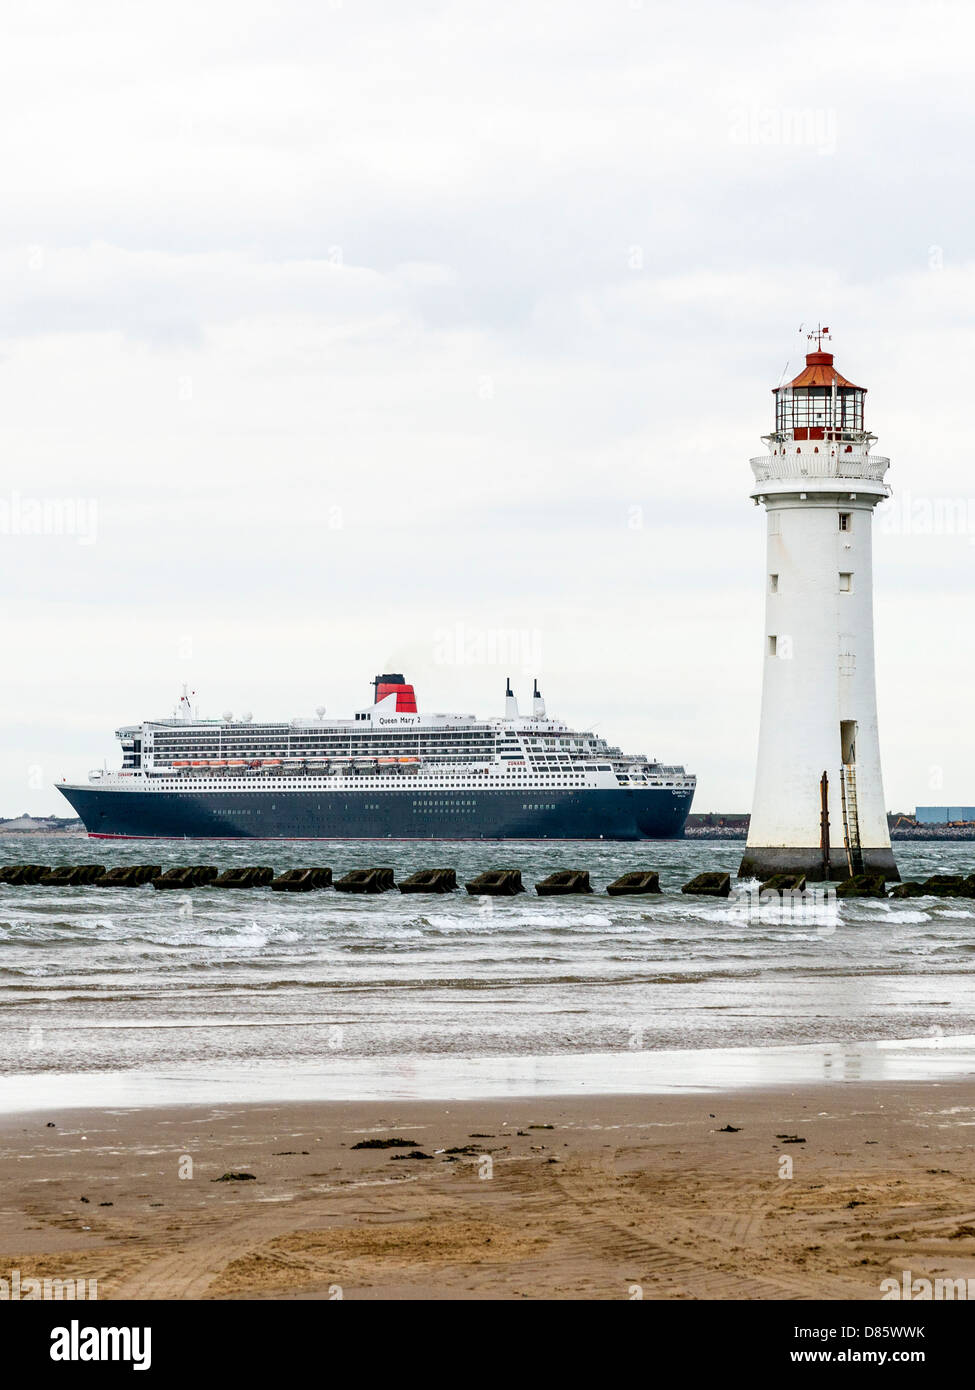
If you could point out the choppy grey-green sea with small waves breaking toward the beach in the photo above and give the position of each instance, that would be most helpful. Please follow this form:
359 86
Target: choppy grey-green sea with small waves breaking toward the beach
136 996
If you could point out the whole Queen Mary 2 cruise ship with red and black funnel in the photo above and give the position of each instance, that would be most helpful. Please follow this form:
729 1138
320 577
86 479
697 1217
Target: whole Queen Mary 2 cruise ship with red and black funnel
387 774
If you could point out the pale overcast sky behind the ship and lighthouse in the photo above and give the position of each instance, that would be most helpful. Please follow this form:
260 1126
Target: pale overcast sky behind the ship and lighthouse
355 337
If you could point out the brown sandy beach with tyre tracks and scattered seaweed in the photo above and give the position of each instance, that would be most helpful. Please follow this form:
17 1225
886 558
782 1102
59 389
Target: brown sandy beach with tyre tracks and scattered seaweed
581 1197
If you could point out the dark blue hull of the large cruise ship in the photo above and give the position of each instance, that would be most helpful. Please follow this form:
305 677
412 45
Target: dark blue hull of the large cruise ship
543 814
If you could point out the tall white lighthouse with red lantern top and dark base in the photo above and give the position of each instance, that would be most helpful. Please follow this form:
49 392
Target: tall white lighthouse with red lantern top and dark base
819 807
